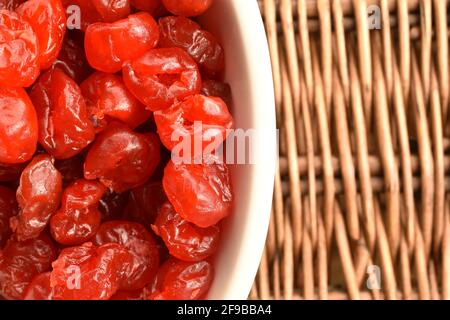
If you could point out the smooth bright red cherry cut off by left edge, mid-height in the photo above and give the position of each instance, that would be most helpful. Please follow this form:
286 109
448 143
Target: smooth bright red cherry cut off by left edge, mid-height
18 126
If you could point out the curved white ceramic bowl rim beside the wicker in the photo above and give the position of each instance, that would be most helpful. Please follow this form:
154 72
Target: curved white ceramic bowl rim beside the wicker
239 27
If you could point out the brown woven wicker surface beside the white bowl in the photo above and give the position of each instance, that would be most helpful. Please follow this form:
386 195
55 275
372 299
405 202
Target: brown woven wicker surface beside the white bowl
360 208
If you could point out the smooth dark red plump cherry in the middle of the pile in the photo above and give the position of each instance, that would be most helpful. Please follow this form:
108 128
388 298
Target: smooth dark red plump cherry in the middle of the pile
121 158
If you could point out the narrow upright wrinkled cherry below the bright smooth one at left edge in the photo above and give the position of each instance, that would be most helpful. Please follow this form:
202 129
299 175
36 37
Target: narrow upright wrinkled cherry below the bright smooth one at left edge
38 195
